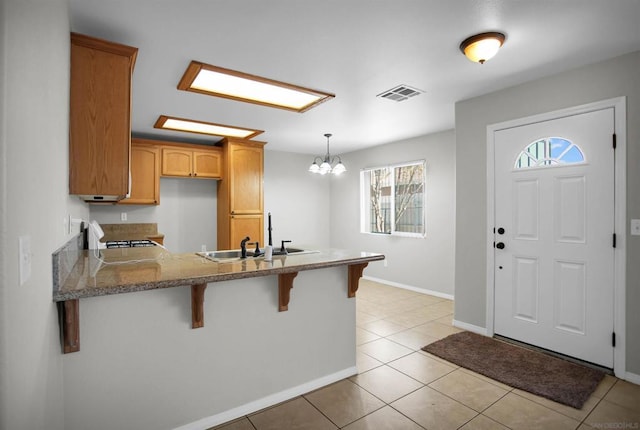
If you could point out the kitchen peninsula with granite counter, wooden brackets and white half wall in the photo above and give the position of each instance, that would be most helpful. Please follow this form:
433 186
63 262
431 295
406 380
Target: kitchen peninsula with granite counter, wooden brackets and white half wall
137 336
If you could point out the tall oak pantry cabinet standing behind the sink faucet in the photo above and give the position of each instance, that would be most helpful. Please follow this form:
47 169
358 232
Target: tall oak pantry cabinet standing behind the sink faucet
240 193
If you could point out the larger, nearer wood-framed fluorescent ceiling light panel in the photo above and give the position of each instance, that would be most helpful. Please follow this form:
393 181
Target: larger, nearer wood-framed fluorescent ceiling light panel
234 85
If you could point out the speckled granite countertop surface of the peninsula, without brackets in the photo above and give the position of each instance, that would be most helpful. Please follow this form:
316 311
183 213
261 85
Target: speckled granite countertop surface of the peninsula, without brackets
125 270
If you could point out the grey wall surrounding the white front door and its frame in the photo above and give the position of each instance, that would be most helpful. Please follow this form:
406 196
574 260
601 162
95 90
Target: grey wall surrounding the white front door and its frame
605 80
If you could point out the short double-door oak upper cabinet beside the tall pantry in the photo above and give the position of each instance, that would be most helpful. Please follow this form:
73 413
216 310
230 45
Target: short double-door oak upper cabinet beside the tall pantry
195 163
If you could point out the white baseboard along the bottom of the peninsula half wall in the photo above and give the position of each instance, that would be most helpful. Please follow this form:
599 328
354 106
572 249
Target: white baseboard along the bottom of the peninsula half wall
270 400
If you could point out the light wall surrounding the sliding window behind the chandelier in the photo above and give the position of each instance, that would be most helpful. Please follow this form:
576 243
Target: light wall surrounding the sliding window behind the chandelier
426 263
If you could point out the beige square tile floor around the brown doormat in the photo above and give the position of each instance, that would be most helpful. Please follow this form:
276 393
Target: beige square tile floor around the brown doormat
401 387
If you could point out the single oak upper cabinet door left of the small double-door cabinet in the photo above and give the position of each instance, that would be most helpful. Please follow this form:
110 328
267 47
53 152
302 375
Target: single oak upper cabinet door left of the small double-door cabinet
145 176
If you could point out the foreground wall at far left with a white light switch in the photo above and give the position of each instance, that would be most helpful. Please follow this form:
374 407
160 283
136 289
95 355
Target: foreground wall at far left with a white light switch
34 200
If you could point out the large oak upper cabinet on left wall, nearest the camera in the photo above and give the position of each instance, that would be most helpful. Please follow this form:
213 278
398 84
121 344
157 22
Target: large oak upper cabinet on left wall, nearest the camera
100 118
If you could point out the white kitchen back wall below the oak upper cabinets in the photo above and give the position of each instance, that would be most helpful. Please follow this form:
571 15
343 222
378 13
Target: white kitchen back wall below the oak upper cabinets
187 214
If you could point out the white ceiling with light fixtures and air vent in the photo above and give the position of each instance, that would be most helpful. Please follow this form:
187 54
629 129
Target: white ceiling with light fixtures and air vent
355 49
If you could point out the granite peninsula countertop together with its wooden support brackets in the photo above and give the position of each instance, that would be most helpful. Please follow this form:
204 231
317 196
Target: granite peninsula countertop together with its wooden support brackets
124 270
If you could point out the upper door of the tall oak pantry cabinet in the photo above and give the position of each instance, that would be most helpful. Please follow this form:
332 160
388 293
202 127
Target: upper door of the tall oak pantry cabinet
246 175
